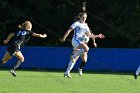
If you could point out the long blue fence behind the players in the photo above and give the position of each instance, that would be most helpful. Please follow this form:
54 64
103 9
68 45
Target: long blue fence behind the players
58 58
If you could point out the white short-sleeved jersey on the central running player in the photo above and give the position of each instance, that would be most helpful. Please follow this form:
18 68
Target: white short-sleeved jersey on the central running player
80 30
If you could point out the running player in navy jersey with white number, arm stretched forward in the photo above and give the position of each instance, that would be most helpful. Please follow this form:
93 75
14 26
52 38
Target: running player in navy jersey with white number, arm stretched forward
17 40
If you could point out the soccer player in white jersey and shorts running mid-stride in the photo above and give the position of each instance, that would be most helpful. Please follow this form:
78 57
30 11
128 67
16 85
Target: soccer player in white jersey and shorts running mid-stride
79 41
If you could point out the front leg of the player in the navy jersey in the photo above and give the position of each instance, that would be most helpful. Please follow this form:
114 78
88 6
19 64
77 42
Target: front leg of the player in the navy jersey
20 58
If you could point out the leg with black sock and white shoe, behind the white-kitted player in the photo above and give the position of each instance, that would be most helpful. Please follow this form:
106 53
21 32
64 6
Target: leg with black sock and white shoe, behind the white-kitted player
84 60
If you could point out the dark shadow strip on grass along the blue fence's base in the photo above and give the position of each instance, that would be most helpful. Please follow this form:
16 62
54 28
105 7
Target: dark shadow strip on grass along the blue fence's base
73 71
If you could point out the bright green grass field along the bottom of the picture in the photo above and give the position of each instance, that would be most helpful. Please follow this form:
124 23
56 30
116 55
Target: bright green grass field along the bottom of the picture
54 82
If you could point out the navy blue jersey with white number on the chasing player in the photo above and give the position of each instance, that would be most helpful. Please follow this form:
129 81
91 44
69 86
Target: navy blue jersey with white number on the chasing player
21 37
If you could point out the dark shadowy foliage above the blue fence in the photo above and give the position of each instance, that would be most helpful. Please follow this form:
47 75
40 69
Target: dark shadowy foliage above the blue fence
118 19
